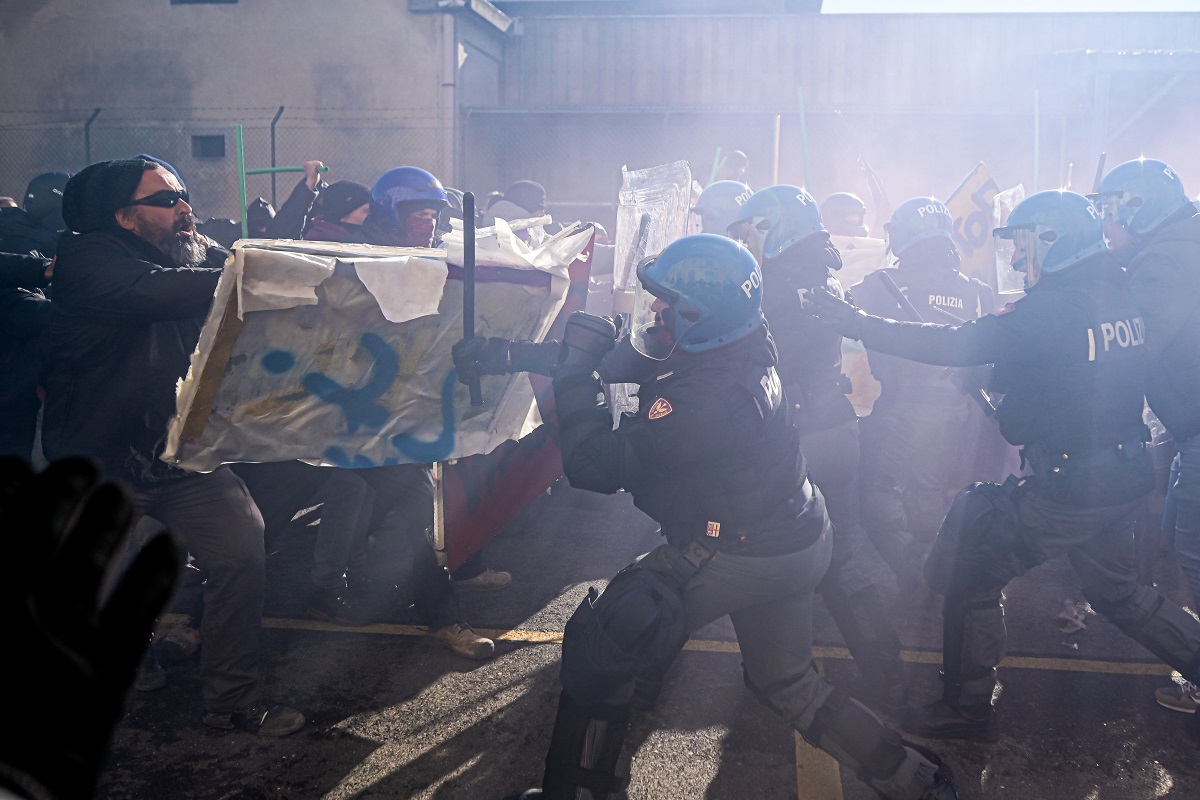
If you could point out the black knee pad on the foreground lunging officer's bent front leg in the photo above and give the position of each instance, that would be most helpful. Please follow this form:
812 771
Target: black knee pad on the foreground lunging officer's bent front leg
637 625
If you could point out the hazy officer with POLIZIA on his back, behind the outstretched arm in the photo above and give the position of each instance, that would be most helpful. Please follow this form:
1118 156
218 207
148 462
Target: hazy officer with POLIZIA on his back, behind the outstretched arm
916 441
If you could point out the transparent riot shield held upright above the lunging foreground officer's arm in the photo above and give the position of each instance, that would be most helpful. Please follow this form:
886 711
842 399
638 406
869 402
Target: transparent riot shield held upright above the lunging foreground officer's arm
653 213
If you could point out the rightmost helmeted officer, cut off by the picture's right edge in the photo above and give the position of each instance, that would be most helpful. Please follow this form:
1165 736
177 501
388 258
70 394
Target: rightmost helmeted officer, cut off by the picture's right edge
1155 231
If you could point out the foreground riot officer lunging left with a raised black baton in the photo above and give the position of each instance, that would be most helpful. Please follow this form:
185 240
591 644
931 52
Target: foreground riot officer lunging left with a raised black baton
713 456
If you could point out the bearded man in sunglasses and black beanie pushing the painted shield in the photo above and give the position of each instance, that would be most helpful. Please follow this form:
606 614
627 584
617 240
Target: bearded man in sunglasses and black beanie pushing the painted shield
133 287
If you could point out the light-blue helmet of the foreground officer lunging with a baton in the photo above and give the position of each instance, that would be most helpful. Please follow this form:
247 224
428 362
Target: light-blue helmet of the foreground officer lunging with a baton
713 288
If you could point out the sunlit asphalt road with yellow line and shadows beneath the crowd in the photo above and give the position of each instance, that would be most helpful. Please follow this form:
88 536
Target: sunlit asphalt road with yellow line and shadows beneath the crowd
394 714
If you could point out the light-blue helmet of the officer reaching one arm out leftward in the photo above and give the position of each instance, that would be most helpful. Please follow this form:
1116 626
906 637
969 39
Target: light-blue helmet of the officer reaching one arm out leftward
1052 232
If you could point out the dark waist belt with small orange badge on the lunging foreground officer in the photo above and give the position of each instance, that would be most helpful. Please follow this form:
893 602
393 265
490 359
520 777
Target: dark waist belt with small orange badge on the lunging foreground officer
764 540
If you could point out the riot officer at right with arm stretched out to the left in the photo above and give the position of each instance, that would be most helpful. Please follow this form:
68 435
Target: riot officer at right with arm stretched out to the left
1070 358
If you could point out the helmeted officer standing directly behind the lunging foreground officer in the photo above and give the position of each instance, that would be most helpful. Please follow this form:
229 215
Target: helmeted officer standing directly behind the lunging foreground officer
797 257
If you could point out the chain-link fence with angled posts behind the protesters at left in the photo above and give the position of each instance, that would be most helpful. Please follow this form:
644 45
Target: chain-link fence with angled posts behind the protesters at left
203 147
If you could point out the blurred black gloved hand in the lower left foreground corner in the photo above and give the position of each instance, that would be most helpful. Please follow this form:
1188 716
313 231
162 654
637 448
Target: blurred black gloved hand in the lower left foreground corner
71 659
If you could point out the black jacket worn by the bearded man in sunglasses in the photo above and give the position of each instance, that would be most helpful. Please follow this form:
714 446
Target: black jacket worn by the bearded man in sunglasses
124 328
